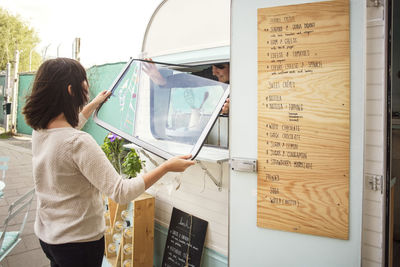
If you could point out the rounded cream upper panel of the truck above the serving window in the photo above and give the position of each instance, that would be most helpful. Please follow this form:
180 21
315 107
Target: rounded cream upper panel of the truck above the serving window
187 25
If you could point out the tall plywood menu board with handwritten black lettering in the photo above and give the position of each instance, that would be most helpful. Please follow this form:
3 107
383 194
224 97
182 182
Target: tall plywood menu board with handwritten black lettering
304 118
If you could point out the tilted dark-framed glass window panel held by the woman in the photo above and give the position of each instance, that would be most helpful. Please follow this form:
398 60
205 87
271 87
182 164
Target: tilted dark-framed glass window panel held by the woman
166 109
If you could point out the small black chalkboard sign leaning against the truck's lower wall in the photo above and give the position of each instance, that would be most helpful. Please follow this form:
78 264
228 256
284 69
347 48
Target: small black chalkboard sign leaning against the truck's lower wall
185 241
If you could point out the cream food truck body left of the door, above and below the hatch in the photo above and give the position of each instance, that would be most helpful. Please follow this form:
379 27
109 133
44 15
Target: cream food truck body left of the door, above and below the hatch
192 32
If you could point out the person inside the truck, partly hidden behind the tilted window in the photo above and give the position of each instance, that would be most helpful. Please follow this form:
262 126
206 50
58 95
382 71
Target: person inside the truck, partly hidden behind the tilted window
219 72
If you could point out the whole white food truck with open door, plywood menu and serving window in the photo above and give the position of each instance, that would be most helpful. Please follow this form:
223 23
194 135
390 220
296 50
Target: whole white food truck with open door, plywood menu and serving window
302 171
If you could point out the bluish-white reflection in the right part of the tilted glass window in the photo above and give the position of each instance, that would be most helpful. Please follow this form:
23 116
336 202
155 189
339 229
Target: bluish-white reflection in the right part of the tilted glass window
189 104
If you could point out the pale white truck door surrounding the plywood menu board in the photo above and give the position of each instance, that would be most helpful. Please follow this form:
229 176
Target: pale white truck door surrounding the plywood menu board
266 247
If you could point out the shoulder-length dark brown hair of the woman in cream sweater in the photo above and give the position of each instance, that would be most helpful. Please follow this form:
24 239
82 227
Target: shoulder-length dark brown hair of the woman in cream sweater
50 96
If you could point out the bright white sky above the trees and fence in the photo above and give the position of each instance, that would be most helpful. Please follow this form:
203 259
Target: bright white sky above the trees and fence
110 31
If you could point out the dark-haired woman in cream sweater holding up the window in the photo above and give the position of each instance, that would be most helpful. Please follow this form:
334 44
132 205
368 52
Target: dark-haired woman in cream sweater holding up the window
70 170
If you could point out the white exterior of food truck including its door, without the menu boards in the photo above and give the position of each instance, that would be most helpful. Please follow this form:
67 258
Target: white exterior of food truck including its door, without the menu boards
197 32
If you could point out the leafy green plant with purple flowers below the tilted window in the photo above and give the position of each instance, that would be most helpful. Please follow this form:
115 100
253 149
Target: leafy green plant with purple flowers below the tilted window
123 161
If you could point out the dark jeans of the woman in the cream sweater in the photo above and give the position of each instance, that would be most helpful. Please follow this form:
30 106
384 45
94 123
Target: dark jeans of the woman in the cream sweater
85 254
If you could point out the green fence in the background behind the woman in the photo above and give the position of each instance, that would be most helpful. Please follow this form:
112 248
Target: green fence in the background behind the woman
100 78
